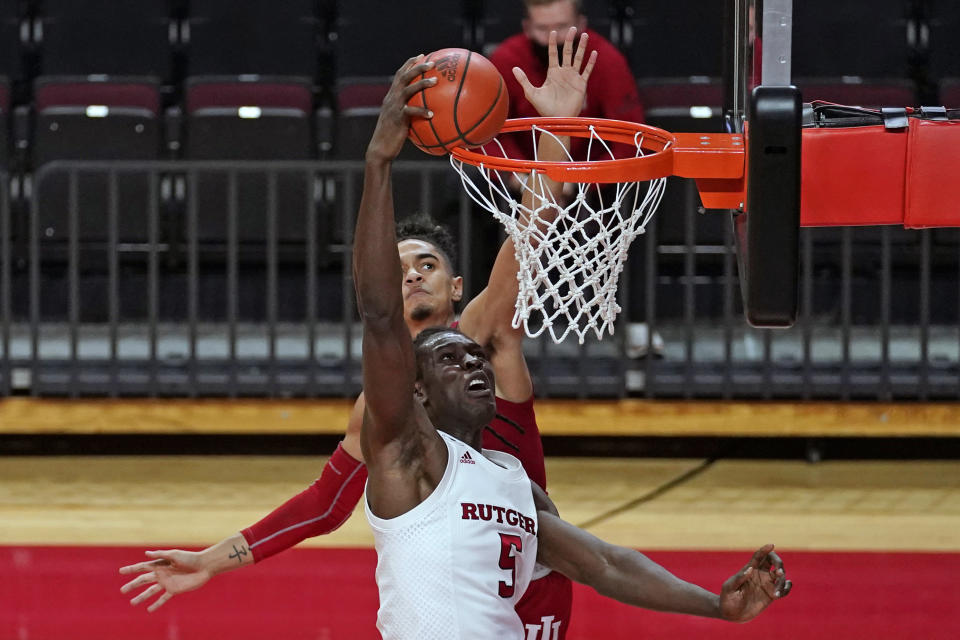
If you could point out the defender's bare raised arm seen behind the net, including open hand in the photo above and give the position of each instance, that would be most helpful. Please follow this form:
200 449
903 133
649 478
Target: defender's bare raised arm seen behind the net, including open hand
488 318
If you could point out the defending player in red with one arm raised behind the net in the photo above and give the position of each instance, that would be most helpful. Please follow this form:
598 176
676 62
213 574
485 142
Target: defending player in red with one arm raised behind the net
430 293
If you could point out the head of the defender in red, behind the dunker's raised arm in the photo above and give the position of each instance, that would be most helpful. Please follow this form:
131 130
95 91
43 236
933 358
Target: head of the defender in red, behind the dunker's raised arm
427 253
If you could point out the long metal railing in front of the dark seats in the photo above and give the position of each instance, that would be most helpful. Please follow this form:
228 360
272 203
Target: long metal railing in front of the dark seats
234 279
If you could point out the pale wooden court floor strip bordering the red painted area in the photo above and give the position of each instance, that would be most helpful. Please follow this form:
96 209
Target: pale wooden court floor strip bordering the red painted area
643 503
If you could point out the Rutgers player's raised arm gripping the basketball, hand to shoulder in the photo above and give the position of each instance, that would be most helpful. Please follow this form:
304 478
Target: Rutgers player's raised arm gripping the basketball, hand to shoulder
404 454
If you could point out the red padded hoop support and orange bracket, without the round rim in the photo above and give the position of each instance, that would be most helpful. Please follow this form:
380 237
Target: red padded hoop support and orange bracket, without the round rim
853 176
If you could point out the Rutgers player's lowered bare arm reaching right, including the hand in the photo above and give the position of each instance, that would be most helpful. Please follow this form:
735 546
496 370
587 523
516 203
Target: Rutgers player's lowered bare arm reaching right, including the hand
630 577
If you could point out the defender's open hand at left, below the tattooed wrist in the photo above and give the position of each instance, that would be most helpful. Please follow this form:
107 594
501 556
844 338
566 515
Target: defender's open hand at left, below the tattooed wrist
170 572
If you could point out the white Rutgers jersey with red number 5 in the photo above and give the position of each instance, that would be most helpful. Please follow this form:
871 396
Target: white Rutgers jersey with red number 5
454 566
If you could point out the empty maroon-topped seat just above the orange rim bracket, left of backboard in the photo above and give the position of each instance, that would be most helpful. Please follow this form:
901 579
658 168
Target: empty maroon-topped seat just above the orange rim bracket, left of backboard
693 104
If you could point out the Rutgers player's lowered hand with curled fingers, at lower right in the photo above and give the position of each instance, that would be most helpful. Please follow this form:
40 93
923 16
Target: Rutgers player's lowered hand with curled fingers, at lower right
749 591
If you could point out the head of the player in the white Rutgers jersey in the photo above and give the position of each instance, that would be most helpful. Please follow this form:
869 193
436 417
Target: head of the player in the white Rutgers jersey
455 382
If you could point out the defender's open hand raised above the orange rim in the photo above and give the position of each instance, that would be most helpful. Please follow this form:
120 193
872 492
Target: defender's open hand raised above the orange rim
565 86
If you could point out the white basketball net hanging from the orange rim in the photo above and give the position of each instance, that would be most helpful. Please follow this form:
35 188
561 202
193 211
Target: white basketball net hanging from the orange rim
569 266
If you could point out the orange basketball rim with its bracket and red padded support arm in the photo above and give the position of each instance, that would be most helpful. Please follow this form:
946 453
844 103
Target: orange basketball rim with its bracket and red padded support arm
849 176
